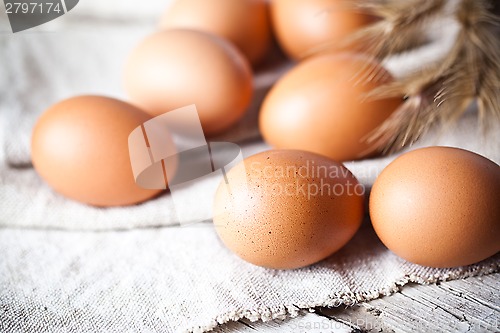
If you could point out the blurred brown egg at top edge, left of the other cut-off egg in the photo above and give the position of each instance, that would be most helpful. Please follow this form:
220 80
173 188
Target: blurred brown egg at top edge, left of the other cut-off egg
244 22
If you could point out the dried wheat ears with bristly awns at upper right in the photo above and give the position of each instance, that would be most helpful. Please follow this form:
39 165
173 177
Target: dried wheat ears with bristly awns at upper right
441 92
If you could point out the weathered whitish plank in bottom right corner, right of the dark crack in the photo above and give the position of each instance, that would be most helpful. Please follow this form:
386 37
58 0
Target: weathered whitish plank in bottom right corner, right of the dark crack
455 306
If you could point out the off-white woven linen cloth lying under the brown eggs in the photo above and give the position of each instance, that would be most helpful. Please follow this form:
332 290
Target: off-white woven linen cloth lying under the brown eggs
68 267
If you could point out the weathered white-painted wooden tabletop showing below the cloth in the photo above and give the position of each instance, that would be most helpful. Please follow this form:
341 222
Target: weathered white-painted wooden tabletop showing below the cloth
468 305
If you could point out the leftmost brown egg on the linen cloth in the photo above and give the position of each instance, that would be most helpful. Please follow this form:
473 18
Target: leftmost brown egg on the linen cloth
80 148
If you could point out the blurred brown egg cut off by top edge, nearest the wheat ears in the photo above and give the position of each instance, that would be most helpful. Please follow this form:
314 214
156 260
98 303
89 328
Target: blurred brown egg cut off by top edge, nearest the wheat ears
304 27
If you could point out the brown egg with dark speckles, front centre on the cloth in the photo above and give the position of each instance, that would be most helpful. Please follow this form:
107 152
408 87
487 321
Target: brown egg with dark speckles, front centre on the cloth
286 209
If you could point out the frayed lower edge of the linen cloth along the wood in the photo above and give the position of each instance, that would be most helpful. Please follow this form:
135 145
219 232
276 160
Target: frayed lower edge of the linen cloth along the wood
348 299
